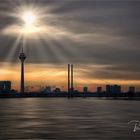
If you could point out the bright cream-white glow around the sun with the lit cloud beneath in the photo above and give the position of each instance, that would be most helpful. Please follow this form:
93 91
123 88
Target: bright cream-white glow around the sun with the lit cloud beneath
33 24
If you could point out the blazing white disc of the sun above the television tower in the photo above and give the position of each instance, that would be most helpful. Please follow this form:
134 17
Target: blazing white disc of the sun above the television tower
29 18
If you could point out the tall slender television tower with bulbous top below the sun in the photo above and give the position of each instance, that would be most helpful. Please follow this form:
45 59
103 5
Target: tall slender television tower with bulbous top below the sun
22 58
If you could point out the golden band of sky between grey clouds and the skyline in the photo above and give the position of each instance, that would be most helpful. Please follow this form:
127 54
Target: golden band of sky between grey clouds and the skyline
41 75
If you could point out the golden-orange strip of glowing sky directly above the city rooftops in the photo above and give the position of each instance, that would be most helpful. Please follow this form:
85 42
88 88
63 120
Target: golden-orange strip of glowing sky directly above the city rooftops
61 78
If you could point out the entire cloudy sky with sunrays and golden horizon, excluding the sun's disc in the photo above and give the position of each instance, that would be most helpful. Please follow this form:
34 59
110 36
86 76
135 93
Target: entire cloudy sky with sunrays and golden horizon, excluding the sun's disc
100 37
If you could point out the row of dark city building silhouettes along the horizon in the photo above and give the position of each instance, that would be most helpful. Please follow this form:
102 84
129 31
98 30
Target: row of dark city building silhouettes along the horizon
6 87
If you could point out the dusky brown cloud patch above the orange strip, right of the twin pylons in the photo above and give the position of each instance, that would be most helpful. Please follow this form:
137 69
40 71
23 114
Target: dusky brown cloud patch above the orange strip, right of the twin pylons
111 72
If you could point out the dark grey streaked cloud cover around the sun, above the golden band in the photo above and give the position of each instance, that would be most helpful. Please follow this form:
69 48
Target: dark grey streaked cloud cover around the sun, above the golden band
95 32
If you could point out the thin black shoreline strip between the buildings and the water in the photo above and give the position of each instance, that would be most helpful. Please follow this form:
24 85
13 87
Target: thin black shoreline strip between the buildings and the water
66 95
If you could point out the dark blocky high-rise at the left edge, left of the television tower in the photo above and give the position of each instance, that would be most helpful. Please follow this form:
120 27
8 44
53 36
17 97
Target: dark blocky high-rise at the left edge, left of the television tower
5 86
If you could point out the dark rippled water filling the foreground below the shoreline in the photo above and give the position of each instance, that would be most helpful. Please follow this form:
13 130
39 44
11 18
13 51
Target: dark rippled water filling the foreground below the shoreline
64 119
